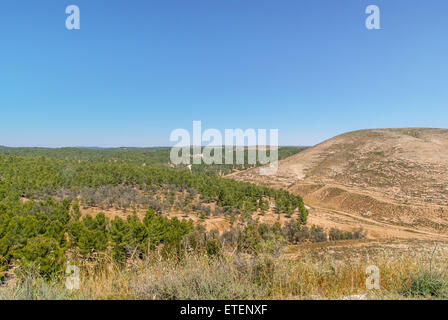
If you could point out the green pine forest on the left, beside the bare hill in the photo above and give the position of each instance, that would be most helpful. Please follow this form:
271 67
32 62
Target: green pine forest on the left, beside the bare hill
42 197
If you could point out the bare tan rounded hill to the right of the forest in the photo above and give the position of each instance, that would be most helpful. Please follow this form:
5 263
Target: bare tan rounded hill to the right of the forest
398 176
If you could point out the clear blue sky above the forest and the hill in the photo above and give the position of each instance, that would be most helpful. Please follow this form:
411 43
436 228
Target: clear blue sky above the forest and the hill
136 70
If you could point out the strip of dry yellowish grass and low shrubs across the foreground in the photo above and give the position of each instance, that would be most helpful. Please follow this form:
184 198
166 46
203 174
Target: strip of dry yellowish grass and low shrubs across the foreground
242 276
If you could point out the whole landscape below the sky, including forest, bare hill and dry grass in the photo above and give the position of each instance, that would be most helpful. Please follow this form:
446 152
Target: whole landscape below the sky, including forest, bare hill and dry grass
144 229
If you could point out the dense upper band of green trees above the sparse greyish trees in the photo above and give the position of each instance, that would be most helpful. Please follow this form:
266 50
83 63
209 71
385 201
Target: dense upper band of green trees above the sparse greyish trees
36 178
